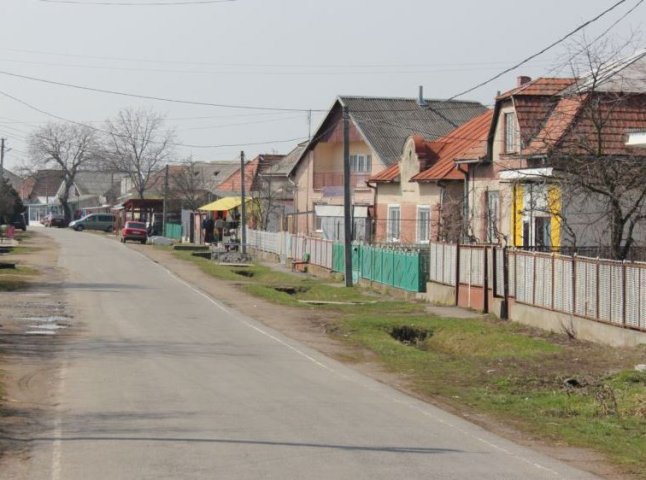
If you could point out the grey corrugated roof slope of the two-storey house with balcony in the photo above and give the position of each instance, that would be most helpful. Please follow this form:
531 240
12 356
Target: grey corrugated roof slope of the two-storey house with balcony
386 123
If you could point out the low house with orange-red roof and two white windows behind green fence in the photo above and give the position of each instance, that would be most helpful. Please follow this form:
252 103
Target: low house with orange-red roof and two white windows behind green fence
420 197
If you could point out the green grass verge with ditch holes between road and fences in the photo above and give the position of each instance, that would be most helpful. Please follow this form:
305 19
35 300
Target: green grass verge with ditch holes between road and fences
552 387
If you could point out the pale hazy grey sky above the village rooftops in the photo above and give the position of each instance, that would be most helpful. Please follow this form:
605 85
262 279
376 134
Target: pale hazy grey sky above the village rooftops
297 55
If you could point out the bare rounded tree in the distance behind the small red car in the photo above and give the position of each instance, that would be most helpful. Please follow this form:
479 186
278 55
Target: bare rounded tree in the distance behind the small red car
138 145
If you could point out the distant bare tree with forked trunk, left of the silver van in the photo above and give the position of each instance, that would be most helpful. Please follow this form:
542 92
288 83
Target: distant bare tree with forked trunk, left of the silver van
65 146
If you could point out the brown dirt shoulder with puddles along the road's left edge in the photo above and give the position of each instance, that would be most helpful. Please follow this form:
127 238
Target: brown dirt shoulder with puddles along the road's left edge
29 362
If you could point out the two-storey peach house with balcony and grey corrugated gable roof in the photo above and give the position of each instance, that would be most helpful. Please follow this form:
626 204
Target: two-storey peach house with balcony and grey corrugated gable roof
378 128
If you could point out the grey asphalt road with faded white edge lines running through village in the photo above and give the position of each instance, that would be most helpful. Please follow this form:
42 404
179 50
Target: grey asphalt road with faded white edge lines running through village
163 382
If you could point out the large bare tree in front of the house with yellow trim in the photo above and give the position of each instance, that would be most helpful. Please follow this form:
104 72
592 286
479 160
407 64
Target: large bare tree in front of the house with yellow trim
603 178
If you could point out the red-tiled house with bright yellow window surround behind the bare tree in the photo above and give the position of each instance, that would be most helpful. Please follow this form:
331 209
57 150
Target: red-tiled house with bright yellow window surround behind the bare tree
517 194
